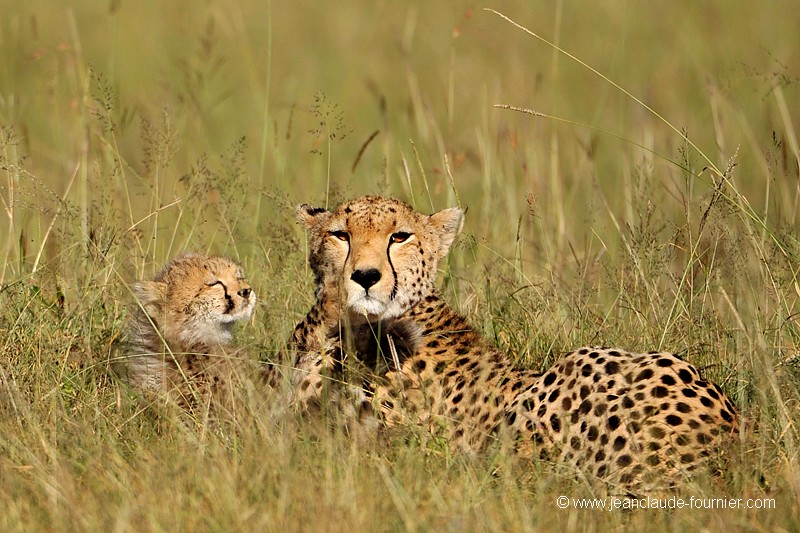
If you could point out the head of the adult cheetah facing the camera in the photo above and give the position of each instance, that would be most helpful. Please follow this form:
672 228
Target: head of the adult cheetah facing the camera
377 255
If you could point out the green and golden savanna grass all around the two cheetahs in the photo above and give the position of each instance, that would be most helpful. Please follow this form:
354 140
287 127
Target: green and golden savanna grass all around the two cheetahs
640 188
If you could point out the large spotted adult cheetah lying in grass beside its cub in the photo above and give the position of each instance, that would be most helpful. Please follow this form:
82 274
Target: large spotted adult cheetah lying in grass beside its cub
618 414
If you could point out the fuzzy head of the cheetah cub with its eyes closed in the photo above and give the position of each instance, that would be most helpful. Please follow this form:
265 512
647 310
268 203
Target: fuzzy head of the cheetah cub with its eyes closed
196 299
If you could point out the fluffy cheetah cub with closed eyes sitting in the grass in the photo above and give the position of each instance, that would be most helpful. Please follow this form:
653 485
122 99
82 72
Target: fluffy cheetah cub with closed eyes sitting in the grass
178 339
